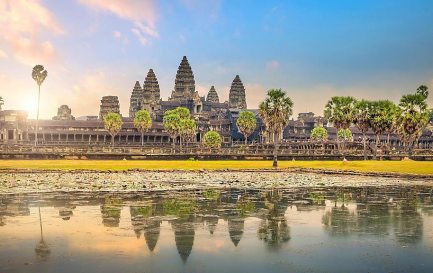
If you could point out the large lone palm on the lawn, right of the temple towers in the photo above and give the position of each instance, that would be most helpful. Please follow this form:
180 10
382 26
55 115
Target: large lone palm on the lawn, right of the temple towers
275 111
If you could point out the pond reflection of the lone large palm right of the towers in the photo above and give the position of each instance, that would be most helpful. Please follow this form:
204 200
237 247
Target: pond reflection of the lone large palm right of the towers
273 229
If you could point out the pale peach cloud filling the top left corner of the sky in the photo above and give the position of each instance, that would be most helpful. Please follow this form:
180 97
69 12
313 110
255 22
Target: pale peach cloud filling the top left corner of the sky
22 23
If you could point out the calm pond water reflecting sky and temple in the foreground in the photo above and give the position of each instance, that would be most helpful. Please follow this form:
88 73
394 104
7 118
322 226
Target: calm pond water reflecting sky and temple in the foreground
296 230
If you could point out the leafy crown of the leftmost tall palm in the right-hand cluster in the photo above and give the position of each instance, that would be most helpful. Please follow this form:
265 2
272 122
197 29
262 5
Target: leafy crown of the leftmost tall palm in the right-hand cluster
340 111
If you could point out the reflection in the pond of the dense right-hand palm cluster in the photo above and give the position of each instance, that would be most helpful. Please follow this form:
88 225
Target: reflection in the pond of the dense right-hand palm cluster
378 217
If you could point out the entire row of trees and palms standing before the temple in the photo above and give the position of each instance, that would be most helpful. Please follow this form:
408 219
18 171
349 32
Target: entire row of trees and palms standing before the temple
407 119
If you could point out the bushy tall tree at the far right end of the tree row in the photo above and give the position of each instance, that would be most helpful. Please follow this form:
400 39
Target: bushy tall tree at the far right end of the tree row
412 117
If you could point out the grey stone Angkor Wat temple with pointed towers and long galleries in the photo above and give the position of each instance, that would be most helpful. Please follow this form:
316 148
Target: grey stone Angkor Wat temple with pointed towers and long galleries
208 111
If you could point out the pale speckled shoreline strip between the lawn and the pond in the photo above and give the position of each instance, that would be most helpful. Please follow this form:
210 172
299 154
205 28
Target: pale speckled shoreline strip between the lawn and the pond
137 180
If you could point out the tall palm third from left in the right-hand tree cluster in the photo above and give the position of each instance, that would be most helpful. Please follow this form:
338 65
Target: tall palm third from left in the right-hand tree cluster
382 119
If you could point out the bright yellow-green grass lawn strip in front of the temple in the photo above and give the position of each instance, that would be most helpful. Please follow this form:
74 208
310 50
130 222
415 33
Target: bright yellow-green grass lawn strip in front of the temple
412 167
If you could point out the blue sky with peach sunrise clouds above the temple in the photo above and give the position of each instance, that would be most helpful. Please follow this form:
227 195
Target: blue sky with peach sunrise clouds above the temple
312 49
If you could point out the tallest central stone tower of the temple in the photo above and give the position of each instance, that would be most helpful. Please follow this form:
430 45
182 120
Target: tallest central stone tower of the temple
184 86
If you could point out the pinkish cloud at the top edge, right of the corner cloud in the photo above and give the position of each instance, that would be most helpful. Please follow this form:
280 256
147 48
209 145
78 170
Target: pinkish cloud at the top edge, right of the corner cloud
142 13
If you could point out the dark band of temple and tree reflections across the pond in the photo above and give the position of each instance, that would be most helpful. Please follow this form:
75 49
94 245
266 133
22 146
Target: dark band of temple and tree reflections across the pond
343 213
